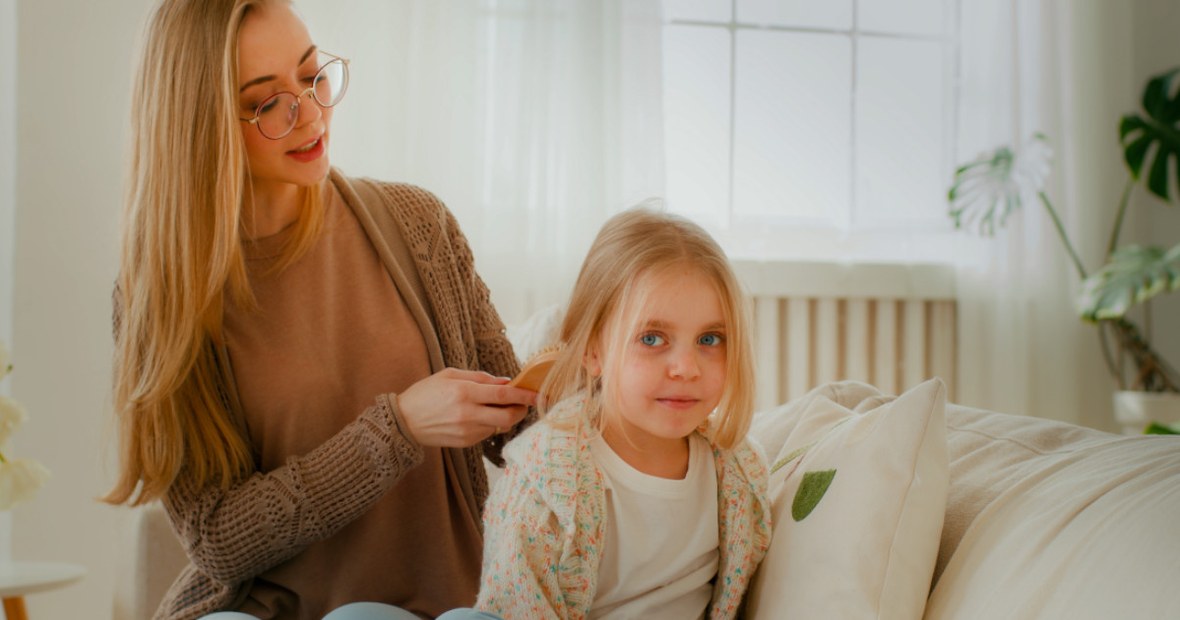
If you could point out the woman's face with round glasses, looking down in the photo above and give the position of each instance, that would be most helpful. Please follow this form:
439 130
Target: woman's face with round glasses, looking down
276 55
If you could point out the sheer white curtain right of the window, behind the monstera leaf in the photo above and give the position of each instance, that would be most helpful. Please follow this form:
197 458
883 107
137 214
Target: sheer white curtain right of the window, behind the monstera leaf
1060 68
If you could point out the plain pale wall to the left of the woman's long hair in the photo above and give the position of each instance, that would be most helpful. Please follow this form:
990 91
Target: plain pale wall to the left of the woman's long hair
74 73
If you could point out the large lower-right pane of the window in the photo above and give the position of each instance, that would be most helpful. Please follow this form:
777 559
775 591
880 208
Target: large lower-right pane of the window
901 132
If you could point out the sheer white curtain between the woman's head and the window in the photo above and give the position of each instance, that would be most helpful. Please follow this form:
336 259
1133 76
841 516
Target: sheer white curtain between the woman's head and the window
533 120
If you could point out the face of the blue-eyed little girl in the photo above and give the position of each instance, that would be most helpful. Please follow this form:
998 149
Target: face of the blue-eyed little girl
673 371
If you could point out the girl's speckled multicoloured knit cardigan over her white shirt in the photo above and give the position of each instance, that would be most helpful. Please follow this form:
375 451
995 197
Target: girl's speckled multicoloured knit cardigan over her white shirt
545 524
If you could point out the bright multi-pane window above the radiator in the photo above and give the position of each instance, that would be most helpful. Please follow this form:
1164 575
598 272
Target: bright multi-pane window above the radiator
821 130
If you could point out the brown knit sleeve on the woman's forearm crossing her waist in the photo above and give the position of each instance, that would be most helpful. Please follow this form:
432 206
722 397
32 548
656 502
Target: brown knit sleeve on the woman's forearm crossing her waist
267 519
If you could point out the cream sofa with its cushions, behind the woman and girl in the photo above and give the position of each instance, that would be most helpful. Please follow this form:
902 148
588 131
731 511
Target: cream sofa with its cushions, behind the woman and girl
912 507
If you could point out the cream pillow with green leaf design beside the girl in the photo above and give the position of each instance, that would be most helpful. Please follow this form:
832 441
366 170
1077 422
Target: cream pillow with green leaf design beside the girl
858 492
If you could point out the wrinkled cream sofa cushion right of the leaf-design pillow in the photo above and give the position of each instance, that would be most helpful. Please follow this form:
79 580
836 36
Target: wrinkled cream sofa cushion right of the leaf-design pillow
1058 521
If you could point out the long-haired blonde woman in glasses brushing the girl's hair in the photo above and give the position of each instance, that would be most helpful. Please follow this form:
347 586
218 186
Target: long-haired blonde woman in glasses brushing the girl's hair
309 371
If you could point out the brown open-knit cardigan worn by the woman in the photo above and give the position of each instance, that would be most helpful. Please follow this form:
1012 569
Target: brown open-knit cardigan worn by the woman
231 537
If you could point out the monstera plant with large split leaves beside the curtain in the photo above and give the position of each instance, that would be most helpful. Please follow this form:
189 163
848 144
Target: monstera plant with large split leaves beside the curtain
987 191
